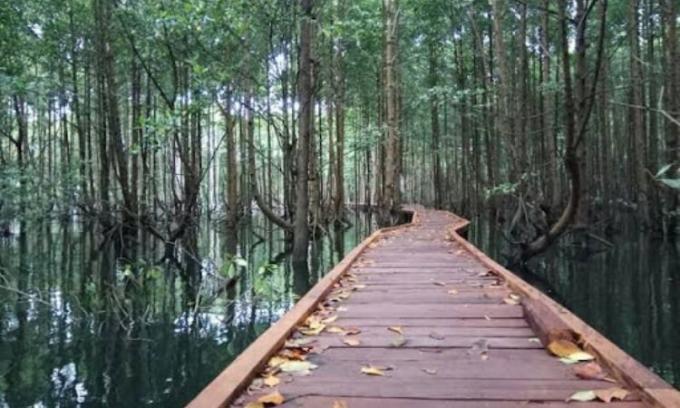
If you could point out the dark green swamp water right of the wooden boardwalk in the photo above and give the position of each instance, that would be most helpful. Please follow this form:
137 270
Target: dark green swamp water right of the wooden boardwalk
629 292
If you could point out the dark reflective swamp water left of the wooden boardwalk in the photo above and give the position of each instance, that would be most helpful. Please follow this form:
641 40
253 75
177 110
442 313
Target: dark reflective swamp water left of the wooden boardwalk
80 328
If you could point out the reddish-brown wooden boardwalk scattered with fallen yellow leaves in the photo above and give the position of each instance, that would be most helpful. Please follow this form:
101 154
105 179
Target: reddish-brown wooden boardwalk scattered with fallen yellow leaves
418 317
